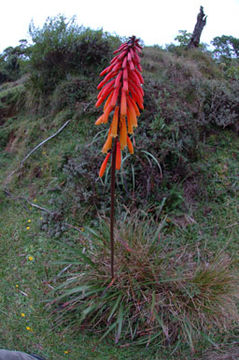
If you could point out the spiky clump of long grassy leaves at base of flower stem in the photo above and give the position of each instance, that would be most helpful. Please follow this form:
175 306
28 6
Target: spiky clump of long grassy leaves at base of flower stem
159 294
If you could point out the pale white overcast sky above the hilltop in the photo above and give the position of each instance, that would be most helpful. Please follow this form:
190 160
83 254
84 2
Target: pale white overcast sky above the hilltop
154 21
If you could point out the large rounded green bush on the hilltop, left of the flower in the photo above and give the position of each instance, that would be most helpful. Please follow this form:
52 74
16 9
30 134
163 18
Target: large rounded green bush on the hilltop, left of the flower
62 48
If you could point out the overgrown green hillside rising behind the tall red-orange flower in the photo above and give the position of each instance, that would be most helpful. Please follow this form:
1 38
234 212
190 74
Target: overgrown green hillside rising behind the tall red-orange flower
183 176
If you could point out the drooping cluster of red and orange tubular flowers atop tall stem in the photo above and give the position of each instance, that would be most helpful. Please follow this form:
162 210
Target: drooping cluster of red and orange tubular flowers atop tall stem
122 90
